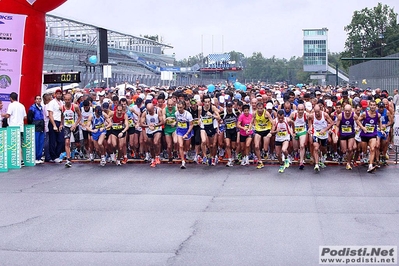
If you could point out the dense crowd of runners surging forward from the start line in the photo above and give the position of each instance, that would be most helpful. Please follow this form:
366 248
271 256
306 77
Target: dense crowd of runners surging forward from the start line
279 123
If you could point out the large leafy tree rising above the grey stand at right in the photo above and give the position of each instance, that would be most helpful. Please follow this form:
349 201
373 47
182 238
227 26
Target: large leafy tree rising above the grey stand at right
373 32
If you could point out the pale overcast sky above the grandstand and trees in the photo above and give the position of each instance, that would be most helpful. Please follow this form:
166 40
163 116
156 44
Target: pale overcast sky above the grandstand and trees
270 27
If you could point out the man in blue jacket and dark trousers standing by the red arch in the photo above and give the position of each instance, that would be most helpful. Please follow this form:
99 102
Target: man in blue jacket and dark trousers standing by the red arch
36 117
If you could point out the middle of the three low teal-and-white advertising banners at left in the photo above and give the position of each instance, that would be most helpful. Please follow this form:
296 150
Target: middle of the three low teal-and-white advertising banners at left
13 147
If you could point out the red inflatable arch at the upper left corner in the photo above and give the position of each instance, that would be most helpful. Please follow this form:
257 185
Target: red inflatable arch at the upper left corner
34 38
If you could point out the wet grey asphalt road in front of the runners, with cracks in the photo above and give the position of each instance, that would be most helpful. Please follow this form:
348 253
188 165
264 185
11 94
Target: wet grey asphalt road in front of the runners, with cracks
136 215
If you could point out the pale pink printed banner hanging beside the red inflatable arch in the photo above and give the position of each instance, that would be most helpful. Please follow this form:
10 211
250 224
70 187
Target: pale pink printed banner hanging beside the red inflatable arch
12 28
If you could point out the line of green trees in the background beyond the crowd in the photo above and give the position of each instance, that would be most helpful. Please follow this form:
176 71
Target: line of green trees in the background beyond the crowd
372 32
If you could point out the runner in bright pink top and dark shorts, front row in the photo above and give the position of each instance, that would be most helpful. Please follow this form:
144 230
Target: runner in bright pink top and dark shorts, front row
245 133
